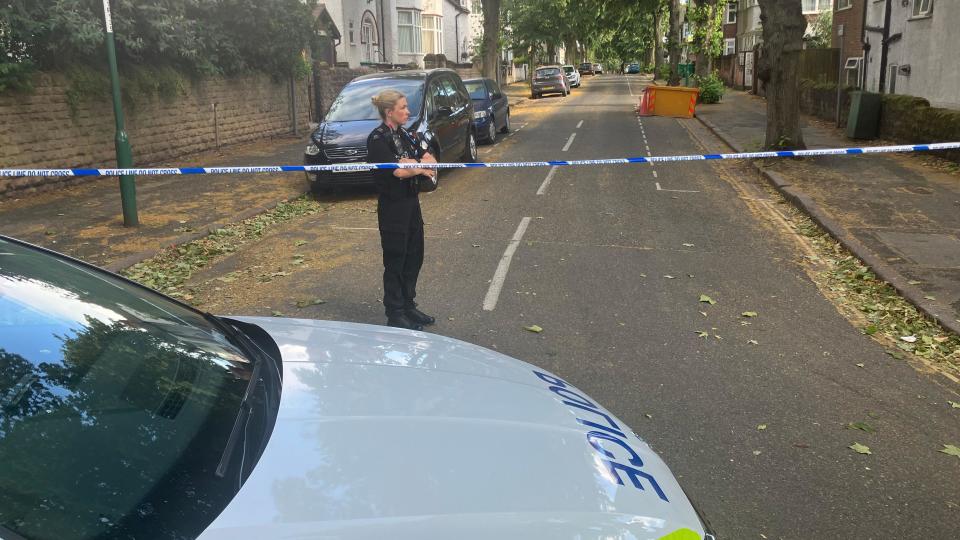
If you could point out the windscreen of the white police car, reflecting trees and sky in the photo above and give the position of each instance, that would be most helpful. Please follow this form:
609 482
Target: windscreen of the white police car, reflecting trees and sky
109 395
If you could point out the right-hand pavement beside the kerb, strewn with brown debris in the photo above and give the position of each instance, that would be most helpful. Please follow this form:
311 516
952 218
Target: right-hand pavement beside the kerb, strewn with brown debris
900 214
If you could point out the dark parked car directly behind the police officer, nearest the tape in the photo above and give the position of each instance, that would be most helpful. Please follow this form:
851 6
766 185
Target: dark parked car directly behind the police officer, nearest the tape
439 105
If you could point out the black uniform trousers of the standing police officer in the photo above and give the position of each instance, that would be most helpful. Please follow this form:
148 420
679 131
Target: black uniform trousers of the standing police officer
401 237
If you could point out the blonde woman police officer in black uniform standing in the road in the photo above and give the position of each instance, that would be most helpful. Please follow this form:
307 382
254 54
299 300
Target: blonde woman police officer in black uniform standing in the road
398 209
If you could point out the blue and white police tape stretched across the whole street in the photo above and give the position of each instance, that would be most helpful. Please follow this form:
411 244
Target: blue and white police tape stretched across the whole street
358 167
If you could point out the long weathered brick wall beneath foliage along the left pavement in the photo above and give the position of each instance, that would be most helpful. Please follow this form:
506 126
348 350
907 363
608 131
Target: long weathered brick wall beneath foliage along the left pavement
37 130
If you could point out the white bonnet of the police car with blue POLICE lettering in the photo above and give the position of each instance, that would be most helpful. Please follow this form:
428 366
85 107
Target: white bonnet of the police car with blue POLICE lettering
390 433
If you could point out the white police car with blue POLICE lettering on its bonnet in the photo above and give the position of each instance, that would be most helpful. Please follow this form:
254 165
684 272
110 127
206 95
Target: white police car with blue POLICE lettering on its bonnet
125 414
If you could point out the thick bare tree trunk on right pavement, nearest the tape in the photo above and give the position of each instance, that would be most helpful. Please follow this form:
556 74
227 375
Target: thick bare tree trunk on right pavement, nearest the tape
783 28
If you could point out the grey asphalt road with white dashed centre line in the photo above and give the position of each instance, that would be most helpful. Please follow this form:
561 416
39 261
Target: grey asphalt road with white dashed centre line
591 268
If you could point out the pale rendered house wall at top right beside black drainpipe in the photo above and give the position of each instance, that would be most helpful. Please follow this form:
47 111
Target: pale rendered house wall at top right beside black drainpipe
919 56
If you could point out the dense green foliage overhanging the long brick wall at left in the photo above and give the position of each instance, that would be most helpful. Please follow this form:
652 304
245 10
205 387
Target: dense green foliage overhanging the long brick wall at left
197 37
